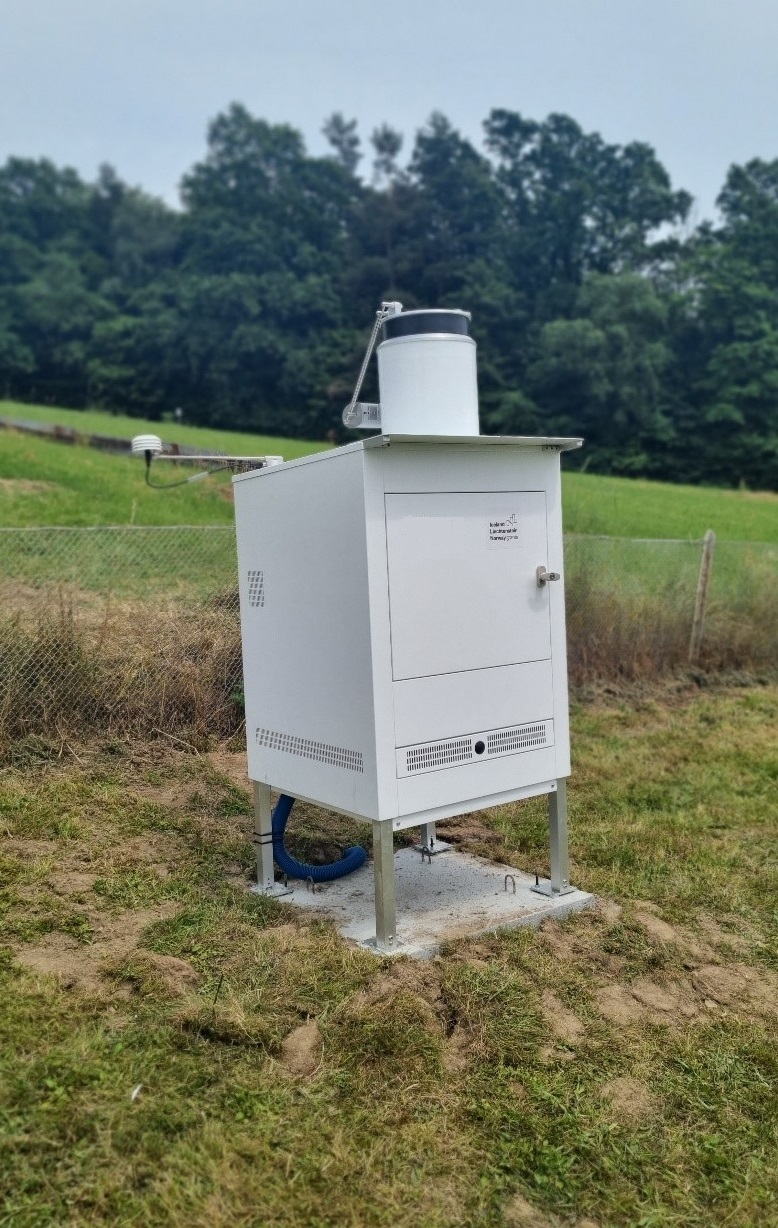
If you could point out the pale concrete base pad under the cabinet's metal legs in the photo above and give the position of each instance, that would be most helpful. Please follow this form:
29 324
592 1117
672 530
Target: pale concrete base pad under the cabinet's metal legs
455 897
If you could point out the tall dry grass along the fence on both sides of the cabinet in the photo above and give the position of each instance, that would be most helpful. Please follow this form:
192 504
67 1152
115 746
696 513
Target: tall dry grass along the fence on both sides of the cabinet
74 664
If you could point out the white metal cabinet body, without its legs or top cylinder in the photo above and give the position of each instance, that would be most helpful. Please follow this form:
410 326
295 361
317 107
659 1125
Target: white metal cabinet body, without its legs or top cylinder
401 611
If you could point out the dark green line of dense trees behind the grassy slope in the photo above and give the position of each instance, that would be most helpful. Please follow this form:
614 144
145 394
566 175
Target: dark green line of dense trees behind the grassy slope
597 308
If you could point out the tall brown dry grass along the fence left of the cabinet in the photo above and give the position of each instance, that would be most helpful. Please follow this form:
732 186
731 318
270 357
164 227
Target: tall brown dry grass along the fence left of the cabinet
131 669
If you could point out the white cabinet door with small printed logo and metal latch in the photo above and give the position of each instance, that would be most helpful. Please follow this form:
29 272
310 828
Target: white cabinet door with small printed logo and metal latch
463 589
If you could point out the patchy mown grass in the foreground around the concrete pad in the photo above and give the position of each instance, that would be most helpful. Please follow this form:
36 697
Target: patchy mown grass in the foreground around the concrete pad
441 1095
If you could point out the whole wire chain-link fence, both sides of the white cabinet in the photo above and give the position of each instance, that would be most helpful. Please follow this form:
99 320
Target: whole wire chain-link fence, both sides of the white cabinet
139 628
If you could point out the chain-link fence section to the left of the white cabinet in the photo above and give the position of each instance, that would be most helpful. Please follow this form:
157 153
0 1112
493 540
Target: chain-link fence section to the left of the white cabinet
132 627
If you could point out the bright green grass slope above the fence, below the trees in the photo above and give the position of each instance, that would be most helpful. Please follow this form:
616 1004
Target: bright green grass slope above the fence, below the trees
47 483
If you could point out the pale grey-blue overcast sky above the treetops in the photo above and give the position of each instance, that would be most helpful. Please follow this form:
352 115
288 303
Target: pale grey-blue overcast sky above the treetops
134 83
